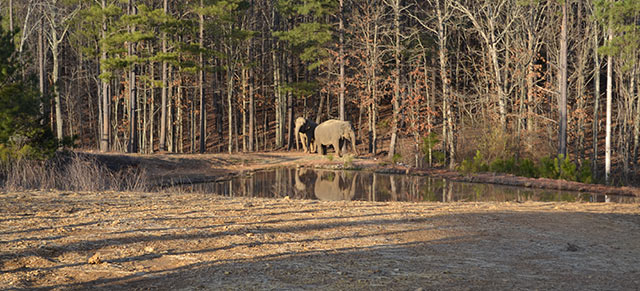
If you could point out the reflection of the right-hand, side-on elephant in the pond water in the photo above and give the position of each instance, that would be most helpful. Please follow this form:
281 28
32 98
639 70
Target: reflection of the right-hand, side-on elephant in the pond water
335 186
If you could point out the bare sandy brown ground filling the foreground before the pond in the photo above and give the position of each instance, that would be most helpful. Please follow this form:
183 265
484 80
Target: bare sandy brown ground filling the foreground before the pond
183 241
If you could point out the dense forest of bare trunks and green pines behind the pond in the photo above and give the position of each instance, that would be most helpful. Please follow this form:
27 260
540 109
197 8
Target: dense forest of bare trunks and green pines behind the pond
425 81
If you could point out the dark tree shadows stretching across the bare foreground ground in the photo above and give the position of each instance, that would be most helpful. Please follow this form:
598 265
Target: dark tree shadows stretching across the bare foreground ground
508 250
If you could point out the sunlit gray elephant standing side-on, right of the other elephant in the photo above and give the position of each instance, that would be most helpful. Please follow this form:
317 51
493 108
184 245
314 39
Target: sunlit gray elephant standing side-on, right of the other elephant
335 133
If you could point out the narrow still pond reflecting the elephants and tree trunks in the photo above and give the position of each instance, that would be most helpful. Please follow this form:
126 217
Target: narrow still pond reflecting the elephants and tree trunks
309 183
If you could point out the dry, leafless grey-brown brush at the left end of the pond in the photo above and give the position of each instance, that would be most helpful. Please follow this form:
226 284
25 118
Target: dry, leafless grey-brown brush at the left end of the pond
71 172
